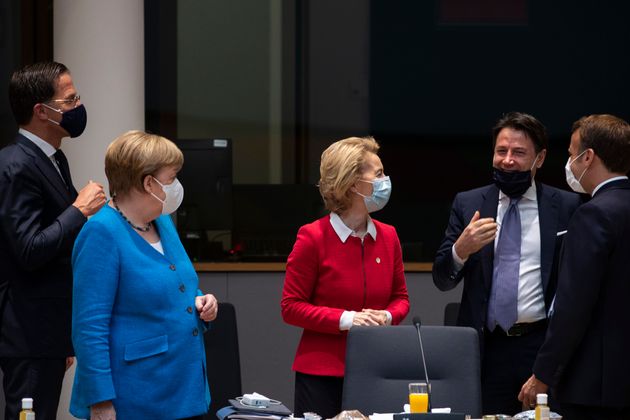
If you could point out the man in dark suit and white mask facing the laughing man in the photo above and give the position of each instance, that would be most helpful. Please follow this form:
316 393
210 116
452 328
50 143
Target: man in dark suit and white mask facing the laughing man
585 356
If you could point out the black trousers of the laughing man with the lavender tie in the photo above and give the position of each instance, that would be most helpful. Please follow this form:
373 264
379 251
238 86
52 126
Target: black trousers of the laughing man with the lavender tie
507 364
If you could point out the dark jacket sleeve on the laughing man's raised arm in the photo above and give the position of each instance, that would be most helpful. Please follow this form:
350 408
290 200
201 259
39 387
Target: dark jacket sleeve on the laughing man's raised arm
445 276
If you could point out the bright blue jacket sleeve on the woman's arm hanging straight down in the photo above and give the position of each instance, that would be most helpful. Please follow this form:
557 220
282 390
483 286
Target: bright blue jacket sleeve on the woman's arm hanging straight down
95 287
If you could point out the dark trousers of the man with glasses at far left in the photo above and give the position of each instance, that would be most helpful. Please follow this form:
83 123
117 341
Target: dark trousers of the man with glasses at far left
40 379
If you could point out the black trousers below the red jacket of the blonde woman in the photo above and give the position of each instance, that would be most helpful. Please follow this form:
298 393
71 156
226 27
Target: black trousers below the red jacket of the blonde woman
317 394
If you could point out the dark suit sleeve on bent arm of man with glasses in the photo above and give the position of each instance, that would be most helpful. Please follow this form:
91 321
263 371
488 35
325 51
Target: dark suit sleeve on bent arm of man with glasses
33 240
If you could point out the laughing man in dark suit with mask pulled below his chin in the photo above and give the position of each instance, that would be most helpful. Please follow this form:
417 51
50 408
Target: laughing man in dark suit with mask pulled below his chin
509 272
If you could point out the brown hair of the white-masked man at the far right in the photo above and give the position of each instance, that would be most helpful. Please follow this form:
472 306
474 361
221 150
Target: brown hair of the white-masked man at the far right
609 137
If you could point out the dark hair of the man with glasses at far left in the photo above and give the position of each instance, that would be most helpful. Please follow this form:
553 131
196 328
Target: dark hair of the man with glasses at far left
33 84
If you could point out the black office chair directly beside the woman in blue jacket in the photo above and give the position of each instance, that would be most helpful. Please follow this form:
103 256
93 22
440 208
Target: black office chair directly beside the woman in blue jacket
222 357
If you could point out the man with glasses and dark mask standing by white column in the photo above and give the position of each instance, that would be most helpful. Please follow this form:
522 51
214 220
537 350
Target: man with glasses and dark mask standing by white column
41 214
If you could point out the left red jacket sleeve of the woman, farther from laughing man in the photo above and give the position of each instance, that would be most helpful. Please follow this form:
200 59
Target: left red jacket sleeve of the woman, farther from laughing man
299 285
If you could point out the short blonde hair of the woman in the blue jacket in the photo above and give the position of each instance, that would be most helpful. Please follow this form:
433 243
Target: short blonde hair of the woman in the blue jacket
136 154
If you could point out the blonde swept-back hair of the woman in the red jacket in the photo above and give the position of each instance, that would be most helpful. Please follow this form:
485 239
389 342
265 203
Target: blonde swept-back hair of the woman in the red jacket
341 167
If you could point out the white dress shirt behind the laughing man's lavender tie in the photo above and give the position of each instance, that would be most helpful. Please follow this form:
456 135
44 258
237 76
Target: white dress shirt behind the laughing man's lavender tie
531 300
